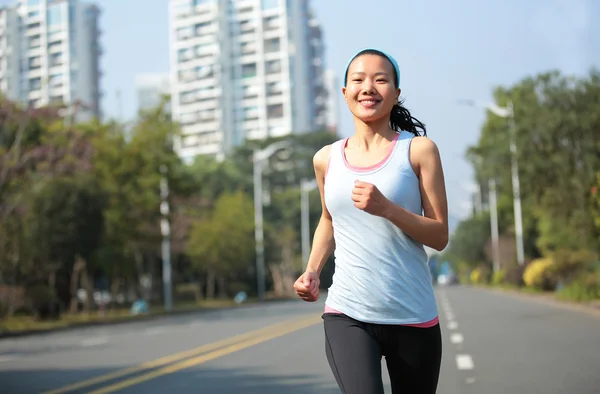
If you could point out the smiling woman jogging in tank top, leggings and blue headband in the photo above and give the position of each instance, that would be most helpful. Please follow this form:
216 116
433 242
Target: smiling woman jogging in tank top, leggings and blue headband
383 199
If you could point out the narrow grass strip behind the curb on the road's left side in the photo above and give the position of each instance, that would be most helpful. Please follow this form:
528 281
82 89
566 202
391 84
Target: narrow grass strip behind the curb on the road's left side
16 324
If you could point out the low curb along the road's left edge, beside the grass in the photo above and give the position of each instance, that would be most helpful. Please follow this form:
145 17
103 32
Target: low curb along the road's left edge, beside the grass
131 319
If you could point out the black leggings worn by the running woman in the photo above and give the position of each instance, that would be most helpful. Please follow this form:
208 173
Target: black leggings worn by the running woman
354 350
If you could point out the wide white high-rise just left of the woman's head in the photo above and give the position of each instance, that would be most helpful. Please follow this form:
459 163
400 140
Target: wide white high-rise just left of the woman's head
244 69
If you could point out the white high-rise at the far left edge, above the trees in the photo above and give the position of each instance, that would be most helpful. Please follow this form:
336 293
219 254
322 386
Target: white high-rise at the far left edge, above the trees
50 52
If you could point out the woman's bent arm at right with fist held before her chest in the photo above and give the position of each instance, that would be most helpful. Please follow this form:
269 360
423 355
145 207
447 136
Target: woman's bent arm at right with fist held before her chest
431 228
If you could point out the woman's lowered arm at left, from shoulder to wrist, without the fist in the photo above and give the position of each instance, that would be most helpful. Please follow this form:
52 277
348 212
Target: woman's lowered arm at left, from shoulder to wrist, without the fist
323 242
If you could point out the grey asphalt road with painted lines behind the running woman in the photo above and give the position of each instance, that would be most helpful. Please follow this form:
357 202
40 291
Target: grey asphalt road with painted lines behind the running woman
493 343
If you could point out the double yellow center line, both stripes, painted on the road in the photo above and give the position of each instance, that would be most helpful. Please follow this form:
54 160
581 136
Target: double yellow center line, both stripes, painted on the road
210 347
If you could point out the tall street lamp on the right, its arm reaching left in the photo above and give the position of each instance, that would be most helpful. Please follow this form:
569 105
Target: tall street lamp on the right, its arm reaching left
508 113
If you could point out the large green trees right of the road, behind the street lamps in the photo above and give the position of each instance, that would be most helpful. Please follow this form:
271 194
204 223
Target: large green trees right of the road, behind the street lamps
557 134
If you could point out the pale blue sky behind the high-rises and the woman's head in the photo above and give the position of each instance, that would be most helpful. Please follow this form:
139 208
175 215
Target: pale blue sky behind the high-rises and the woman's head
447 50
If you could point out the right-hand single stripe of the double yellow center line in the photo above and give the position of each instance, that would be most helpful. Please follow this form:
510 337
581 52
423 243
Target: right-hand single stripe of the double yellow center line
208 356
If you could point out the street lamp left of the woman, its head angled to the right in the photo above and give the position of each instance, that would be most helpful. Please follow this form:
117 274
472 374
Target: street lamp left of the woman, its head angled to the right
258 158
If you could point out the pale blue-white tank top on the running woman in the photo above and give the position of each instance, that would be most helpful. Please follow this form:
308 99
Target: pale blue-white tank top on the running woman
381 274
